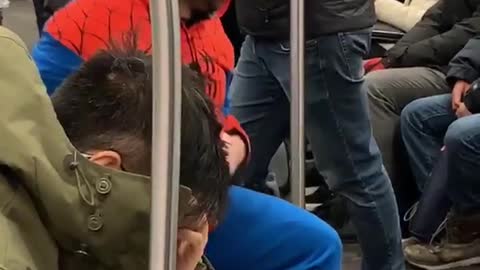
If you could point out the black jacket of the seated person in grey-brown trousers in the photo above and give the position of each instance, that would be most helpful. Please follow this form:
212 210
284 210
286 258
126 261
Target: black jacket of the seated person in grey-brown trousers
443 31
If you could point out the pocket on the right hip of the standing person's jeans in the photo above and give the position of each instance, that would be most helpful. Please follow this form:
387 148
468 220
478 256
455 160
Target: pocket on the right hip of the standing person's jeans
355 47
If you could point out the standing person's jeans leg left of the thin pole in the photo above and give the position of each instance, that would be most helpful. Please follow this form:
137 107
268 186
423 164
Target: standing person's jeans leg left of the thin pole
260 104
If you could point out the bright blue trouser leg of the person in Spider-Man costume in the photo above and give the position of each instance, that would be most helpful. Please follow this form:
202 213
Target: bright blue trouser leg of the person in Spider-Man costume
262 232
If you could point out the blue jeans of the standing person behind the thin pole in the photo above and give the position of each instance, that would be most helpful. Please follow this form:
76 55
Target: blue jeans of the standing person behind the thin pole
337 126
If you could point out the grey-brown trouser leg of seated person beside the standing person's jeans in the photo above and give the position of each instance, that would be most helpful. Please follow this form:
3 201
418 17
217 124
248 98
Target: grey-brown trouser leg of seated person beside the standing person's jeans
389 91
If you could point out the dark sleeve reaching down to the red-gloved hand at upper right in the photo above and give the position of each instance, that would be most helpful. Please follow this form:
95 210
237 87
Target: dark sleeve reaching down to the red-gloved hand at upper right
429 26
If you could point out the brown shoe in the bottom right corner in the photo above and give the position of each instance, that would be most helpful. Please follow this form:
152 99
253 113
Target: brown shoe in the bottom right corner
459 248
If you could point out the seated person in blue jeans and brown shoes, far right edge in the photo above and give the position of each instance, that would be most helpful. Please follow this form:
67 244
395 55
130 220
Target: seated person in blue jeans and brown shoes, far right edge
446 121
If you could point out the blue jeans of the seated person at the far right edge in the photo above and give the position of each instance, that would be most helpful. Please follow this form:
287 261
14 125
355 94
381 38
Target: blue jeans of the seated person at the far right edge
427 125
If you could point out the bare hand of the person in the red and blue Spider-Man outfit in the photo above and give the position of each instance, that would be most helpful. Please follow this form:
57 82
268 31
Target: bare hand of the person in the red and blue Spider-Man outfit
235 149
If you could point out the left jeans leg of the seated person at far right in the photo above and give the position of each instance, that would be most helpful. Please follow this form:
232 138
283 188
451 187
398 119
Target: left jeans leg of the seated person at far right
423 124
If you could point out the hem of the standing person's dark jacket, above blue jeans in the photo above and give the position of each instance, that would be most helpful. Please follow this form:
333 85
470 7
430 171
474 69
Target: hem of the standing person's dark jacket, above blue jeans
269 19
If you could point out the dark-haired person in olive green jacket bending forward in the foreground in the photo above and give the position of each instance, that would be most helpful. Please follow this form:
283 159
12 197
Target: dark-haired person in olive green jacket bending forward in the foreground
78 197
